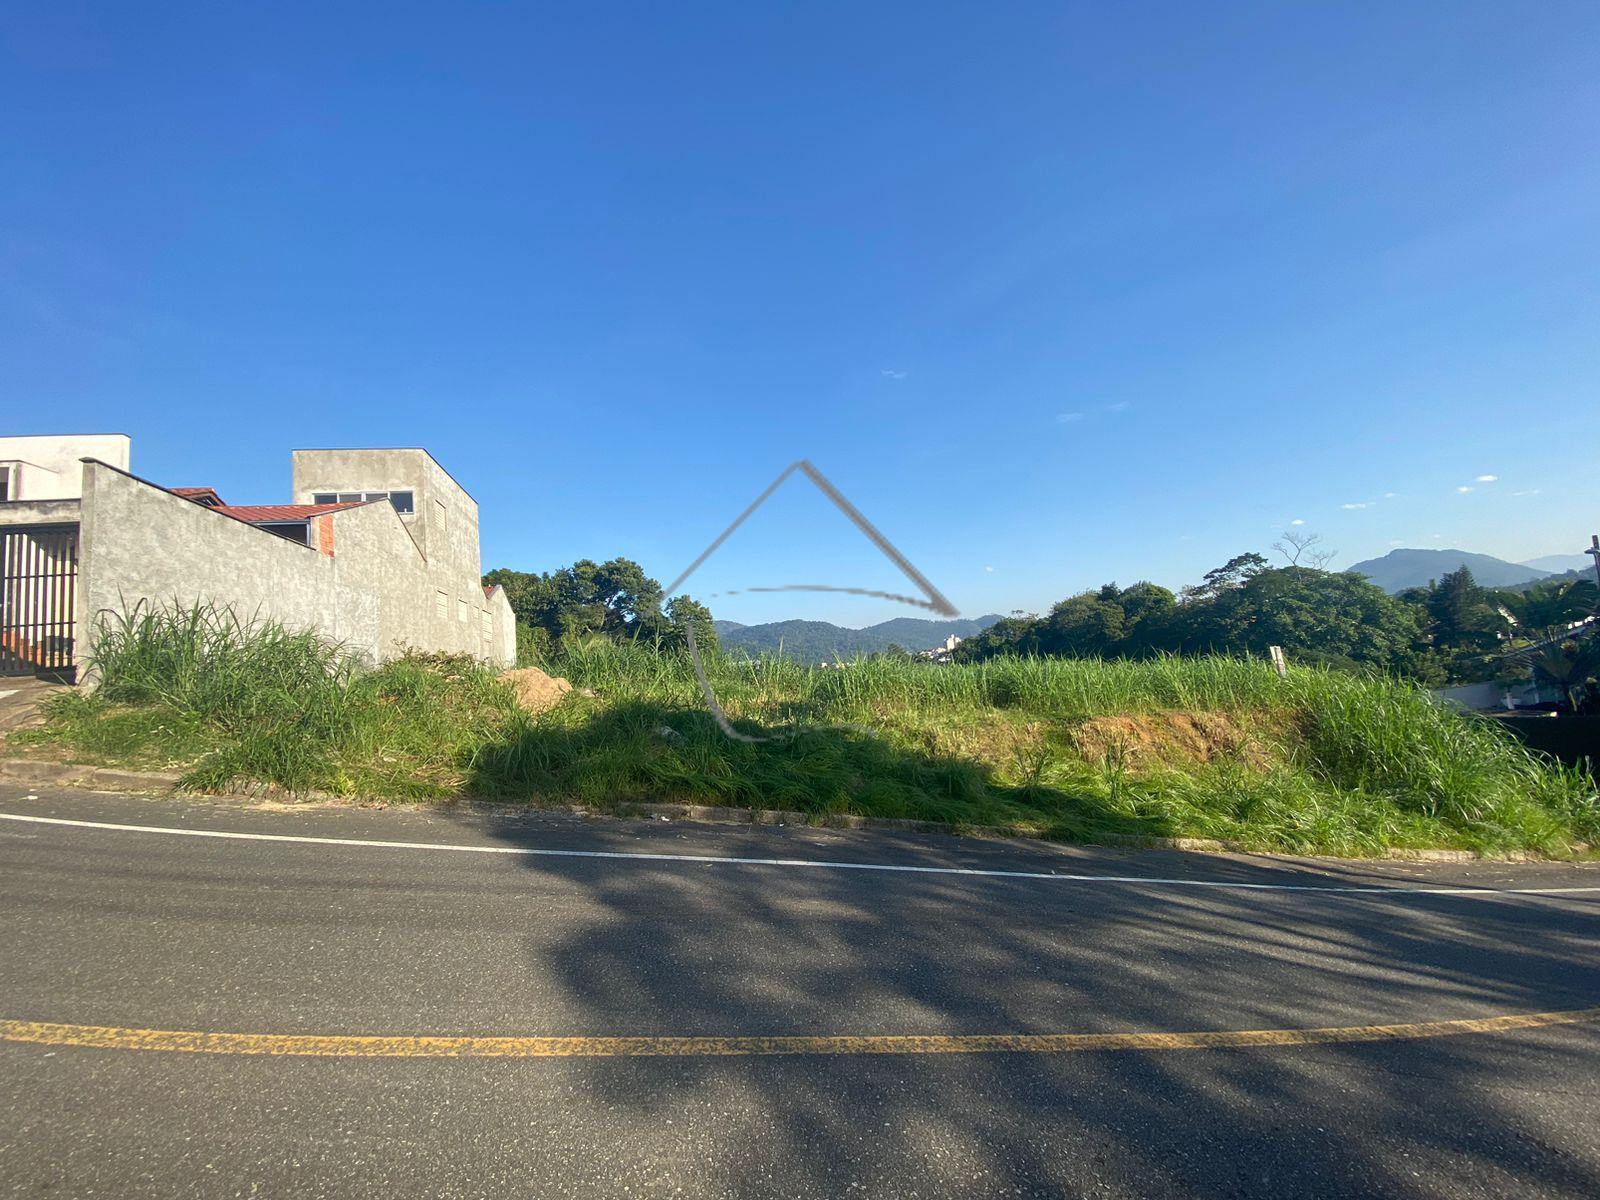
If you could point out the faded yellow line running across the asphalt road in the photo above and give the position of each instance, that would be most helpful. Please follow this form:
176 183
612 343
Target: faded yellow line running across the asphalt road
345 1046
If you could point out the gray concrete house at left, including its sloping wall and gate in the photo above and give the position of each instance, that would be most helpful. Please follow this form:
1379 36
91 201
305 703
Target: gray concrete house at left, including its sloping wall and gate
378 551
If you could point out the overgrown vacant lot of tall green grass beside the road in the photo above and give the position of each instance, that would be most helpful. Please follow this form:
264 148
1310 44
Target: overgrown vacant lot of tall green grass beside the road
1068 750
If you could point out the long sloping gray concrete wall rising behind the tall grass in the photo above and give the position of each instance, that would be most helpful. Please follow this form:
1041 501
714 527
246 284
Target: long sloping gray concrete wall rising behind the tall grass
367 583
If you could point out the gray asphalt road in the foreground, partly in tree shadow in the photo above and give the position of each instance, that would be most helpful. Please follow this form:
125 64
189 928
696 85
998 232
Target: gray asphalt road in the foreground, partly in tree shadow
151 930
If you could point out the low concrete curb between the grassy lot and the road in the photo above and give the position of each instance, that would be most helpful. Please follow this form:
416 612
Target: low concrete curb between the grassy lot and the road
118 780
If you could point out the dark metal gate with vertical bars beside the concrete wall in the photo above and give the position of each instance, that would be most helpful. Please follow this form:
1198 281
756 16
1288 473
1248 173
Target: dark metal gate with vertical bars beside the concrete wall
39 577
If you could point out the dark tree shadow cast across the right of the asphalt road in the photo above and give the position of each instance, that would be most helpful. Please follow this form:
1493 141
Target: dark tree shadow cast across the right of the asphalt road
698 950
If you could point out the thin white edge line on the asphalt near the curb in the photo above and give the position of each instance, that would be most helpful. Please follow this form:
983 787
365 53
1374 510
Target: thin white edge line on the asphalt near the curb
820 865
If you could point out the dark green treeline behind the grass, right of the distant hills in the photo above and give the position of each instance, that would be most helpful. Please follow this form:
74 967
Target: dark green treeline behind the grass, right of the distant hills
1447 633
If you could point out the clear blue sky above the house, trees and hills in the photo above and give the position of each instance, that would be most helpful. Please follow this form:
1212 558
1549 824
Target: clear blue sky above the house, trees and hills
1057 294
